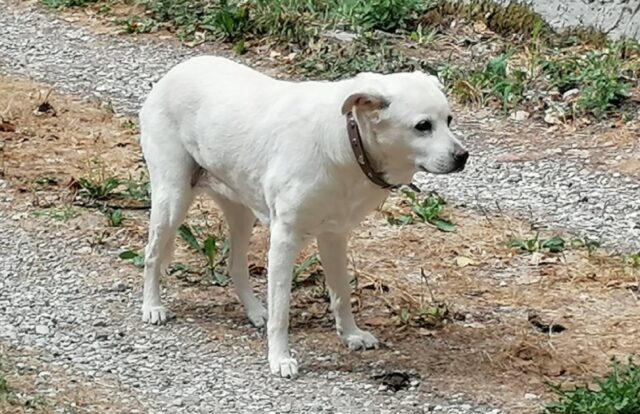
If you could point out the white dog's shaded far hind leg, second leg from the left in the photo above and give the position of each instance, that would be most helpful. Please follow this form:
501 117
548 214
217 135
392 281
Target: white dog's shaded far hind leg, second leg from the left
241 220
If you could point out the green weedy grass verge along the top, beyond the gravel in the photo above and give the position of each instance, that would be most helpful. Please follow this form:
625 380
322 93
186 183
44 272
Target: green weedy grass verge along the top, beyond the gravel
533 74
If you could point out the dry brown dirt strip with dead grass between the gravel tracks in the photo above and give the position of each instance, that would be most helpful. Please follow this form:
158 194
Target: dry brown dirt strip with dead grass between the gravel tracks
486 346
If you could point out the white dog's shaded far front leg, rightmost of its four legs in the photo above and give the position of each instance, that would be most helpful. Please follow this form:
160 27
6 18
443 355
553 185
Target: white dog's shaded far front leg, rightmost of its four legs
333 251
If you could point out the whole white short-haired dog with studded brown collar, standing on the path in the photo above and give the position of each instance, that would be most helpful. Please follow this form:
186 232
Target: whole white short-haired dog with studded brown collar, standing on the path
308 159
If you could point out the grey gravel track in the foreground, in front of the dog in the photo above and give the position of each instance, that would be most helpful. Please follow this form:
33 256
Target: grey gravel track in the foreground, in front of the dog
85 322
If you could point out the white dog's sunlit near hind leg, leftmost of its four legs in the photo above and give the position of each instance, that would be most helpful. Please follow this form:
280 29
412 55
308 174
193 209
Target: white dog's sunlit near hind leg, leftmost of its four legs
171 172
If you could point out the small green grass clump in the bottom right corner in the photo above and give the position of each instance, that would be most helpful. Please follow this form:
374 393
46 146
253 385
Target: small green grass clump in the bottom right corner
618 393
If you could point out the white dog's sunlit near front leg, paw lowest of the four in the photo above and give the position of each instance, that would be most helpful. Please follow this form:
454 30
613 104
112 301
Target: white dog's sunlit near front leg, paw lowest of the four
283 248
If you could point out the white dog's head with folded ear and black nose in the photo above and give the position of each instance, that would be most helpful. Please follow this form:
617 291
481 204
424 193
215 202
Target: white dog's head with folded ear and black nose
405 121
